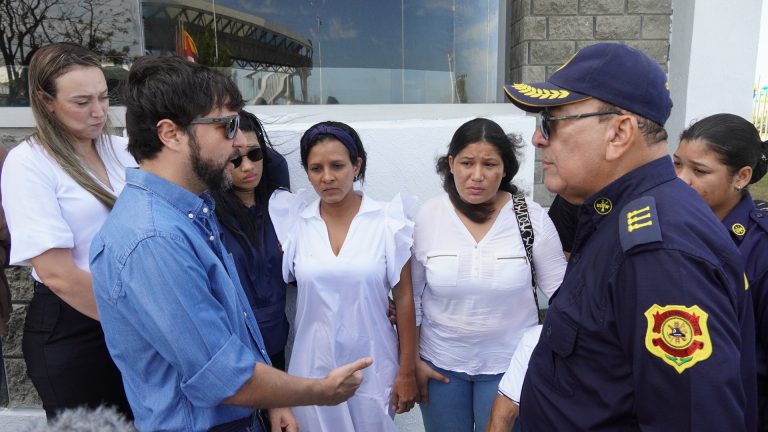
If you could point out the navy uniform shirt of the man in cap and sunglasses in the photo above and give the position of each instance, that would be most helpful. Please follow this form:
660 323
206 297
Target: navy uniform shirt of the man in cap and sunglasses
647 329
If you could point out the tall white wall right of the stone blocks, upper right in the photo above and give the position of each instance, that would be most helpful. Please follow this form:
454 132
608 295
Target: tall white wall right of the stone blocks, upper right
713 55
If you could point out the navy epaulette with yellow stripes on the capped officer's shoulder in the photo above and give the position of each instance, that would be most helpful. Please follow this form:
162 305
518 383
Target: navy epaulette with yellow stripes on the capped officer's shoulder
639 223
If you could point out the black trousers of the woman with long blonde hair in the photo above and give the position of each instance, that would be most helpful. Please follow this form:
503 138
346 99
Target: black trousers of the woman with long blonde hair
67 358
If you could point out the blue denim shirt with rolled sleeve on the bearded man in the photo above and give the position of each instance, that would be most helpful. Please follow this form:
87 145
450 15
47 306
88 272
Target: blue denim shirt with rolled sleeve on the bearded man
175 318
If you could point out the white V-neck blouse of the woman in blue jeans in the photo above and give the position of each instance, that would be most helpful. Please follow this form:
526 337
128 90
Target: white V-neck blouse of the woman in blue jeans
474 299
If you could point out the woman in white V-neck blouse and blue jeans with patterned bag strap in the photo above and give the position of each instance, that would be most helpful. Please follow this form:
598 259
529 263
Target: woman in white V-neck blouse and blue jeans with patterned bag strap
472 279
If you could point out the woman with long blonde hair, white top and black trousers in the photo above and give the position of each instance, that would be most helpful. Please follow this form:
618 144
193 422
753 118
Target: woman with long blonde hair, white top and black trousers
58 187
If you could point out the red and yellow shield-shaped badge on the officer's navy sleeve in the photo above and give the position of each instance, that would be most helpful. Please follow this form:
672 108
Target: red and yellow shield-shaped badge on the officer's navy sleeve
678 335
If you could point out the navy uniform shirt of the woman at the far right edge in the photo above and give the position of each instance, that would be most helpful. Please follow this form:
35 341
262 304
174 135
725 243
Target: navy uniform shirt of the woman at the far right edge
749 230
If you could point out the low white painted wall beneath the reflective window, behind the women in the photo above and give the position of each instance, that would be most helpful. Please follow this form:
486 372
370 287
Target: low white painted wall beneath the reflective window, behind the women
402 141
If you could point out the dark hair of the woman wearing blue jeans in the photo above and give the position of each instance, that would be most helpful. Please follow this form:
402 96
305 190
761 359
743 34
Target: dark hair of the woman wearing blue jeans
508 146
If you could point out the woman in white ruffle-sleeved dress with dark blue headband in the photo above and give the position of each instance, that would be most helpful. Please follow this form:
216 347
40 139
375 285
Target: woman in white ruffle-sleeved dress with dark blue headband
346 252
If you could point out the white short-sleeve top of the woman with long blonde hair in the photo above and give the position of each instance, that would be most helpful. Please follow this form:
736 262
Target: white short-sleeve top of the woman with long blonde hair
46 209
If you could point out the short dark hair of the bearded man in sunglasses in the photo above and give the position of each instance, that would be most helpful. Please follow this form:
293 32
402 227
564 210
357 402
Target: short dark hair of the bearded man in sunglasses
175 89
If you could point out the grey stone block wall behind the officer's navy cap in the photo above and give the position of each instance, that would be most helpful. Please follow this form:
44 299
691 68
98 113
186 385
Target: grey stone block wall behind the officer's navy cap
545 33
